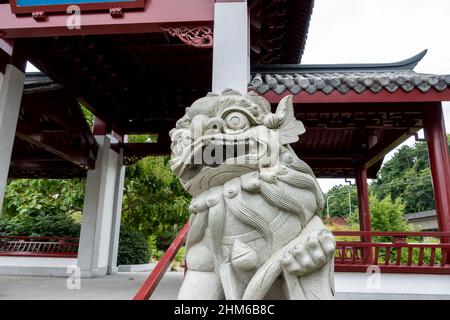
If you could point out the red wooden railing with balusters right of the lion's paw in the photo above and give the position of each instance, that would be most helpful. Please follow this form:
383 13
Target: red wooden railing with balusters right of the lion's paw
402 253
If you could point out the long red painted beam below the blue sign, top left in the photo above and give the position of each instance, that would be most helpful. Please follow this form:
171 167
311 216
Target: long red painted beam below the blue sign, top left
150 19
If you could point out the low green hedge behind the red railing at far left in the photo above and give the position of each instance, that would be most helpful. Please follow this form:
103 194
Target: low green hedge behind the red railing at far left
40 224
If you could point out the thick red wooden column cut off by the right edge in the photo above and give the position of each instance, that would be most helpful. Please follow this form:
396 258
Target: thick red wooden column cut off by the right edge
440 165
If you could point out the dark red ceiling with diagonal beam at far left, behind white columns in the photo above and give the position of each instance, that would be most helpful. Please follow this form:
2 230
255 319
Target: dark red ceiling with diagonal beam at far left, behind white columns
52 139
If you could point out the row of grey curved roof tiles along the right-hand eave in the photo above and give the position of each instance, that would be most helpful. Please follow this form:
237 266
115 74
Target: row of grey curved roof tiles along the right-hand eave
406 80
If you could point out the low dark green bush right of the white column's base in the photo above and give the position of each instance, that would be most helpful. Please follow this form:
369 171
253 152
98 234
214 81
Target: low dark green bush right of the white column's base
133 247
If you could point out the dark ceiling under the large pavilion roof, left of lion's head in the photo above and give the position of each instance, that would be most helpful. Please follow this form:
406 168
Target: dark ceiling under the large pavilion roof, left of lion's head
138 83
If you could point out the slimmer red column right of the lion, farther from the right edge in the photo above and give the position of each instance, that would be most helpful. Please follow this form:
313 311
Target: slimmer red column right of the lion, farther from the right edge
364 211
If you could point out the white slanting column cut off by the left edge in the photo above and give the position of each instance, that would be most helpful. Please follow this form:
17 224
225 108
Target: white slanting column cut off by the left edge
11 88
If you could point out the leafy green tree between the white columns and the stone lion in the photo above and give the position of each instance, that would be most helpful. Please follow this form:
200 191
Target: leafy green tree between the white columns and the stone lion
154 202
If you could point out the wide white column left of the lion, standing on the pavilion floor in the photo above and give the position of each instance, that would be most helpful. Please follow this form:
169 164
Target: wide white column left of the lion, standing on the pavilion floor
99 212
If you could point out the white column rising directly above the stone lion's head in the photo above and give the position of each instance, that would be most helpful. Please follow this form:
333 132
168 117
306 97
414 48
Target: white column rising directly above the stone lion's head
231 52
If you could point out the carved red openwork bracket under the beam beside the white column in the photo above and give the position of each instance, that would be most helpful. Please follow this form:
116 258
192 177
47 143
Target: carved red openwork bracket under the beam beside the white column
194 36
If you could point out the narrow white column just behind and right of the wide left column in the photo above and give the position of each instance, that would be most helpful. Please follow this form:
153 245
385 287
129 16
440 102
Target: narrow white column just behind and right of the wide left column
117 214
